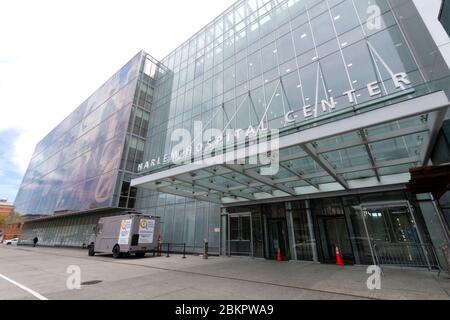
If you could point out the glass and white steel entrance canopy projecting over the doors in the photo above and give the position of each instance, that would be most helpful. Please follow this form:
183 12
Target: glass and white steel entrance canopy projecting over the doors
374 148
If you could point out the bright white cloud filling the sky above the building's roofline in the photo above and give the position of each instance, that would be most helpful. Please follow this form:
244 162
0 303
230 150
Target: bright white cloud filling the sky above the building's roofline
54 54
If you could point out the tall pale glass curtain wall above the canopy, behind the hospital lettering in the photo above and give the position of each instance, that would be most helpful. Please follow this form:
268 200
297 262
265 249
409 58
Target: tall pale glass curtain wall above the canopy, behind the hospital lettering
262 59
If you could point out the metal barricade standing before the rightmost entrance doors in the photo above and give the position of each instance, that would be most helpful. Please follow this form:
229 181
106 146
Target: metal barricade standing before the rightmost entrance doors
406 254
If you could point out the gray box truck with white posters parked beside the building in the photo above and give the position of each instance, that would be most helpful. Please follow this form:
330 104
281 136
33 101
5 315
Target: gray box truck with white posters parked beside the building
128 233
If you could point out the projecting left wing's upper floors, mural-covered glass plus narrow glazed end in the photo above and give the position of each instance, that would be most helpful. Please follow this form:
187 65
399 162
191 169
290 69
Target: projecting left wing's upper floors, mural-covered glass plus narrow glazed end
85 162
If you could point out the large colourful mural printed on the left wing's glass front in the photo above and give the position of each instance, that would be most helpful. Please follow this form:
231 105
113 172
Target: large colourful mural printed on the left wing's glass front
75 166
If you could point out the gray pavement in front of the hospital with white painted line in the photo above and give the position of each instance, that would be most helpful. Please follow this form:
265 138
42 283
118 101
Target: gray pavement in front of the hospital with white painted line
44 271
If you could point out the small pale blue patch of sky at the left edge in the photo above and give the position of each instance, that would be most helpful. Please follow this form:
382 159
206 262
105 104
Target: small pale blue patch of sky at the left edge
10 175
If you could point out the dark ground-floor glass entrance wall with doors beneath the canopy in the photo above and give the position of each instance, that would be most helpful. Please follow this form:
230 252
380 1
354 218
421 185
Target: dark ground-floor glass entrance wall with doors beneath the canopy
365 227
